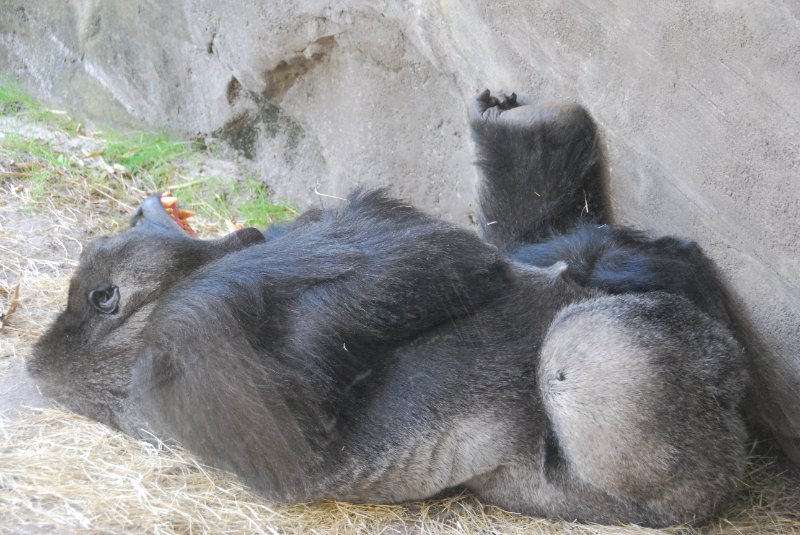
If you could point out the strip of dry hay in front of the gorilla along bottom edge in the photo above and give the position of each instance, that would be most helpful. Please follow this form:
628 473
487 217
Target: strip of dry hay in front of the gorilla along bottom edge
61 472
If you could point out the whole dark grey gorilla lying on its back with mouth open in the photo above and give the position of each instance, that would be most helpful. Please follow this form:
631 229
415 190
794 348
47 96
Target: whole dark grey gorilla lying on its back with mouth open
557 367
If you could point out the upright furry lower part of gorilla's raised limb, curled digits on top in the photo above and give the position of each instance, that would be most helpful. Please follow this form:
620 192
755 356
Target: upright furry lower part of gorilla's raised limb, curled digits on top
542 171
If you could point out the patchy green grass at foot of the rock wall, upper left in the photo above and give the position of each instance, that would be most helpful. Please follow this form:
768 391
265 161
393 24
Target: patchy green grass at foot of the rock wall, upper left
123 165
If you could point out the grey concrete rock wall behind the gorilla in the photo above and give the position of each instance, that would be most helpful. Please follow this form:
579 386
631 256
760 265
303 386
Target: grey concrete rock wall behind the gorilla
697 102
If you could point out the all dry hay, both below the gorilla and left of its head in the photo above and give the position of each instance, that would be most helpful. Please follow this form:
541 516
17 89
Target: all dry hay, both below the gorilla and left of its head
62 473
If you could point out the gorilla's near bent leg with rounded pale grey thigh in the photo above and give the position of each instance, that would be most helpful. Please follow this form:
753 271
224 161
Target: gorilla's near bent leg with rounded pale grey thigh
642 393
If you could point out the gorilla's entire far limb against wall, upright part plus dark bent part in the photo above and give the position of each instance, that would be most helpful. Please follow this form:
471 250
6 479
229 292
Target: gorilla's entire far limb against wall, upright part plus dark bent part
542 200
